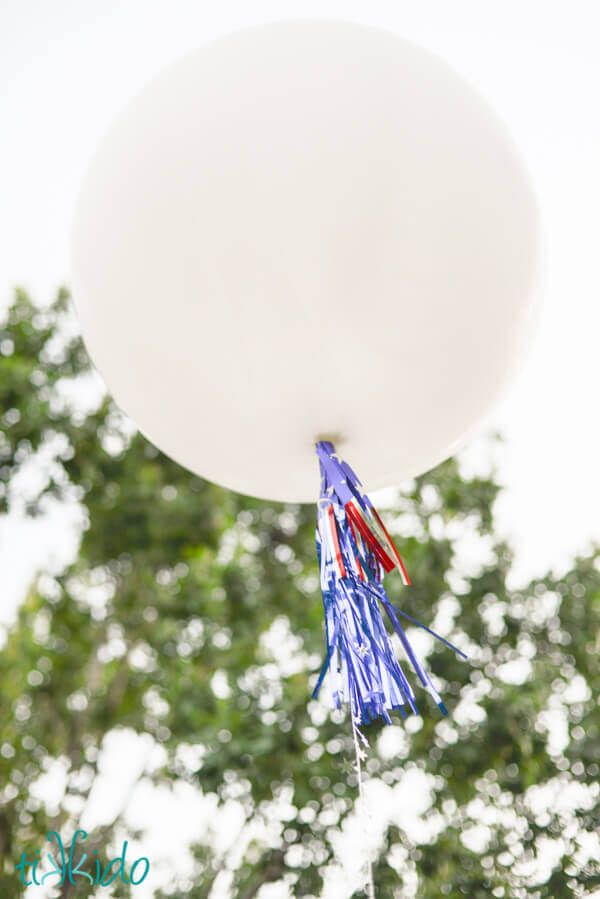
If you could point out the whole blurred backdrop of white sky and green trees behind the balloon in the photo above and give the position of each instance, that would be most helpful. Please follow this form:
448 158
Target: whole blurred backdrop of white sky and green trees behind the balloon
161 635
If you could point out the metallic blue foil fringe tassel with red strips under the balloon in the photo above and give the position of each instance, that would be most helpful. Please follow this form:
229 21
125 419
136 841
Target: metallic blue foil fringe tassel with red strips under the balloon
355 551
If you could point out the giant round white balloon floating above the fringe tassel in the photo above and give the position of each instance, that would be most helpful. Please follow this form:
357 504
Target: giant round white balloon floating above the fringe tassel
302 231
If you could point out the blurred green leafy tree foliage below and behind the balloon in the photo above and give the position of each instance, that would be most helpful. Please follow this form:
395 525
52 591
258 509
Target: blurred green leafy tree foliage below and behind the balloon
194 615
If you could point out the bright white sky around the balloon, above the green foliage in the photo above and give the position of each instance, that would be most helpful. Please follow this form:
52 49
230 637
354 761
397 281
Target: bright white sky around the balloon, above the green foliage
67 67
